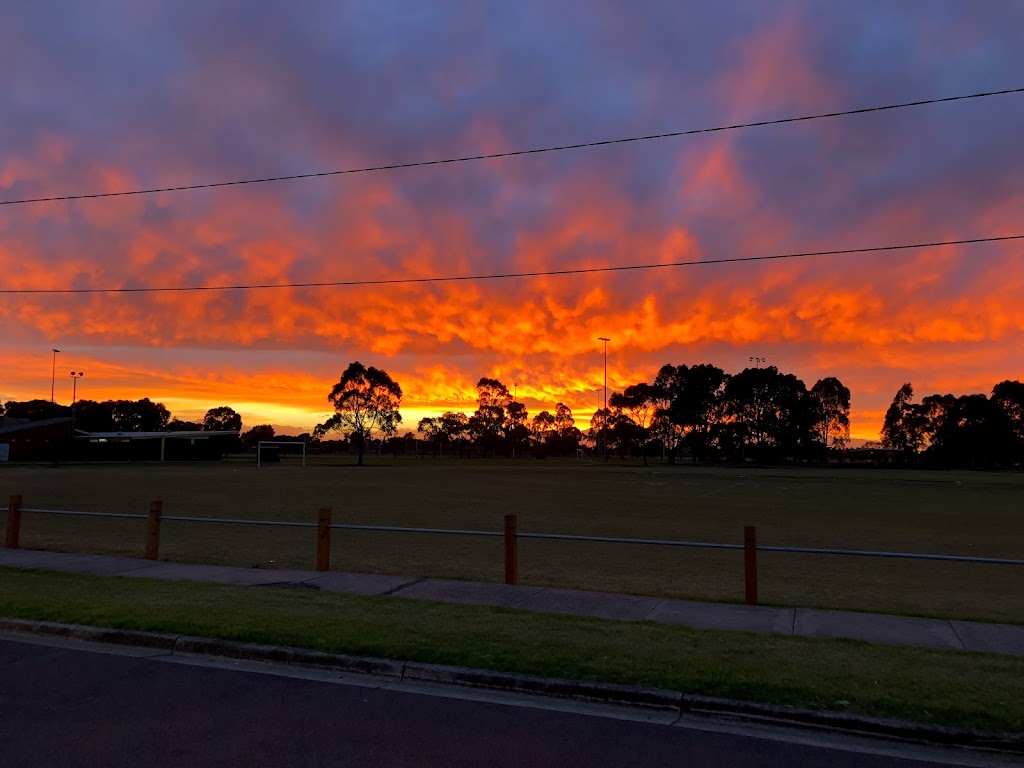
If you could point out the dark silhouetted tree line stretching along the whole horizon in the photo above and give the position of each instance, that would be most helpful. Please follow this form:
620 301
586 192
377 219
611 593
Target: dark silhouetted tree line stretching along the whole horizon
700 413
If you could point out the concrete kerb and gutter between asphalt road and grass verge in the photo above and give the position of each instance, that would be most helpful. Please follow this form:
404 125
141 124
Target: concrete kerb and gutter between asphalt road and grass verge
666 701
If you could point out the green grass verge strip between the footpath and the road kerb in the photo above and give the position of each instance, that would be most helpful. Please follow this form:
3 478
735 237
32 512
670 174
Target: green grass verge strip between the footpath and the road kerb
943 688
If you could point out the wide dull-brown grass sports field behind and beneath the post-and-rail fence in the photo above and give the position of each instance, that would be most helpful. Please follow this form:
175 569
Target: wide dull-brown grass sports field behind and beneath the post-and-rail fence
949 514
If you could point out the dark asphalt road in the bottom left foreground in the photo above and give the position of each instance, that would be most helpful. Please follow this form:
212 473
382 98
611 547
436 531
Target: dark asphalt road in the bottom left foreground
61 706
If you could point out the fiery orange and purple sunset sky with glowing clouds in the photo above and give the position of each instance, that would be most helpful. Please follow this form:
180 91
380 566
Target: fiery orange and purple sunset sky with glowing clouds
109 97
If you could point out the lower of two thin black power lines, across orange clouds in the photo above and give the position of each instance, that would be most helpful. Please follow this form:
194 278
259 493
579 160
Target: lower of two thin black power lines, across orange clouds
509 276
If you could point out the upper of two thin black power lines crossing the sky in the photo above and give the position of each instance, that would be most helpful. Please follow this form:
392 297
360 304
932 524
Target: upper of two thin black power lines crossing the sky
514 153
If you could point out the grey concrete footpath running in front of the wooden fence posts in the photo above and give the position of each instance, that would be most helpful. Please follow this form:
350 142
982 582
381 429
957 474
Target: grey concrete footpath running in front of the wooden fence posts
876 628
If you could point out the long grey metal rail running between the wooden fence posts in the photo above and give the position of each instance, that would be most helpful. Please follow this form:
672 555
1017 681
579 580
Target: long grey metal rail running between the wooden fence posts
560 537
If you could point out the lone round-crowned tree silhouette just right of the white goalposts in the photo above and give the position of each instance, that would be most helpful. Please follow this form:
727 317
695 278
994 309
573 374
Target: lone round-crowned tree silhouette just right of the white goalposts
366 403
